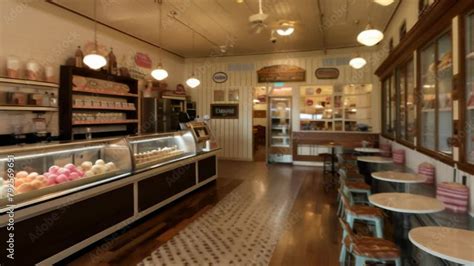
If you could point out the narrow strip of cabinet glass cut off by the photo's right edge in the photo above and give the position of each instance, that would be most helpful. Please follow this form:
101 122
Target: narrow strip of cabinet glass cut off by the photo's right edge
469 88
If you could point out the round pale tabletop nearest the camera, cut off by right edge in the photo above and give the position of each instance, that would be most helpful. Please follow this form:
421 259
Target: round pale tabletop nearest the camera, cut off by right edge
456 245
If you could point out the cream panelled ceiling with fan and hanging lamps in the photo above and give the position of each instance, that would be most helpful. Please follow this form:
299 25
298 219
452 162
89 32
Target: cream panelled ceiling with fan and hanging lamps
225 23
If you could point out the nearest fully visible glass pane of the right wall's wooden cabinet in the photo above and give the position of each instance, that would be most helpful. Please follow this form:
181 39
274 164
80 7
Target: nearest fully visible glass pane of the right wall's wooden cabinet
436 107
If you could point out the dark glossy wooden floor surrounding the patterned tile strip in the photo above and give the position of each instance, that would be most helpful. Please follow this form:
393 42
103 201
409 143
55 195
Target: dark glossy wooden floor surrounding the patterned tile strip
310 238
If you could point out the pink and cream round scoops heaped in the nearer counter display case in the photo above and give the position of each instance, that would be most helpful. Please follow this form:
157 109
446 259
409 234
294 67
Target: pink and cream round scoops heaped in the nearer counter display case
30 181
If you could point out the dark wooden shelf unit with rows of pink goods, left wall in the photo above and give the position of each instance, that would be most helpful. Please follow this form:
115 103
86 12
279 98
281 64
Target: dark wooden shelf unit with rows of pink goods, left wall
70 129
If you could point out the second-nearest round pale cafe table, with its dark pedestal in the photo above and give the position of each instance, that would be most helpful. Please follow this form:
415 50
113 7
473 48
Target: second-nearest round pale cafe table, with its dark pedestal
406 204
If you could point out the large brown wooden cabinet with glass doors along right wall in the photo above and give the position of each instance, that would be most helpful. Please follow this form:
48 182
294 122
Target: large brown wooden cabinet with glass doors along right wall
433 110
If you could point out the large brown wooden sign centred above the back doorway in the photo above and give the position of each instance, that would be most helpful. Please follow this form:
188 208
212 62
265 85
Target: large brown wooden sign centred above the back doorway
281 73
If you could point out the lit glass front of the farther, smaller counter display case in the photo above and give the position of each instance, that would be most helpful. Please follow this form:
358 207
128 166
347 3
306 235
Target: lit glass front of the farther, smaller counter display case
154 150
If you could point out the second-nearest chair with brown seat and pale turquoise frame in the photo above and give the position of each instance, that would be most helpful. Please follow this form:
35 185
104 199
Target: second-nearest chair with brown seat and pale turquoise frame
368 214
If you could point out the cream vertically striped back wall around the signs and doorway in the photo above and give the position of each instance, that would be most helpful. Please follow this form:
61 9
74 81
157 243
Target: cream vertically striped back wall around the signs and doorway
235 135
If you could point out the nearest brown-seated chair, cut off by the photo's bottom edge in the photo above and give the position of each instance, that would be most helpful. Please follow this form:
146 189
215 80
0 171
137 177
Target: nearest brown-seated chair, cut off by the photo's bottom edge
366 248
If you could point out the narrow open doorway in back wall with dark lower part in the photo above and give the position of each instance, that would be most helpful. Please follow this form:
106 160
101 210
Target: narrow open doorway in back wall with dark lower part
259 123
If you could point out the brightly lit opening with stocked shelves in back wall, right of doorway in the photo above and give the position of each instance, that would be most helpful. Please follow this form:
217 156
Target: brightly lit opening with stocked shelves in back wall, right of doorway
339 108
